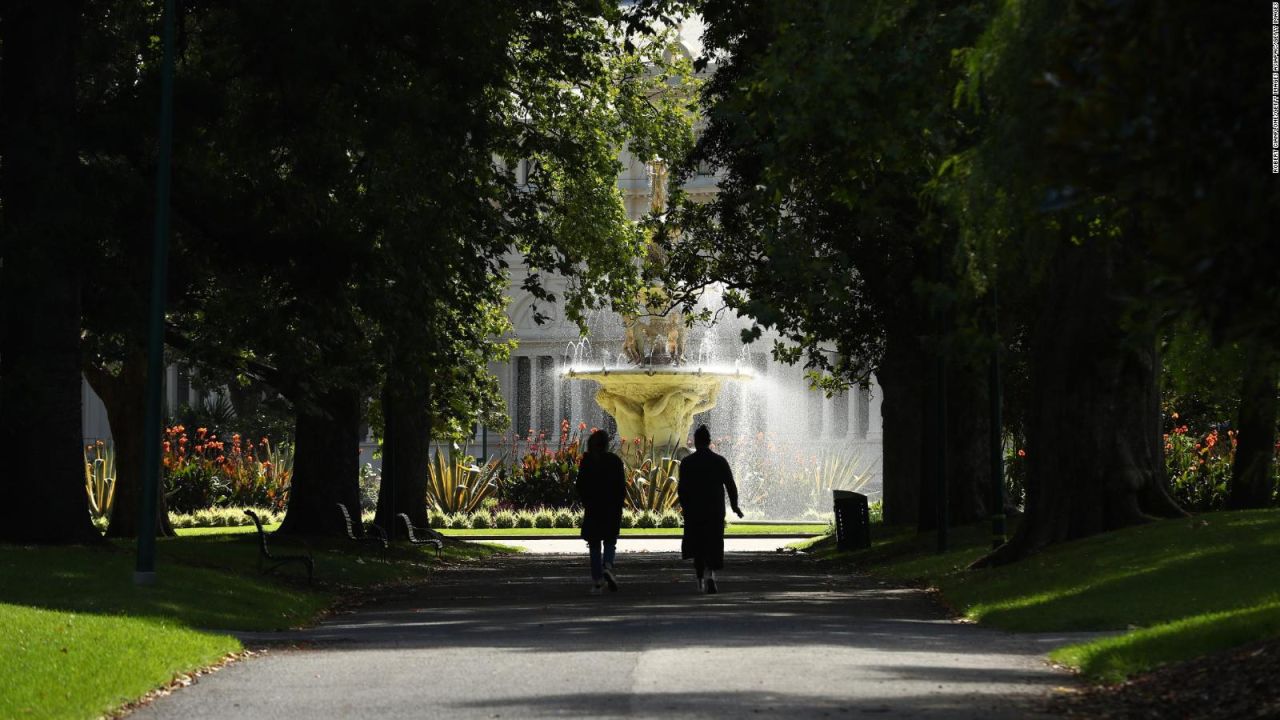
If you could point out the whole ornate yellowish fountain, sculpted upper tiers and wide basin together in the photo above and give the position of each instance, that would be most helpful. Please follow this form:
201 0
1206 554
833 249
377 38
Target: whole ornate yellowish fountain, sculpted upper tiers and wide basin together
656 394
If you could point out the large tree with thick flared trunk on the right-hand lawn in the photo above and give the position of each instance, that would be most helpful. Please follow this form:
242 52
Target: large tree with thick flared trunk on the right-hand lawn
1094 425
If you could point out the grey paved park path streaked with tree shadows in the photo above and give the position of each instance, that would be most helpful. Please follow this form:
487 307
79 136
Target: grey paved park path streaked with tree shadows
520 637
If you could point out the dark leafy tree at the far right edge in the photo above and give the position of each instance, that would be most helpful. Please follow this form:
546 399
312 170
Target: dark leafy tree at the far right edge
1121 127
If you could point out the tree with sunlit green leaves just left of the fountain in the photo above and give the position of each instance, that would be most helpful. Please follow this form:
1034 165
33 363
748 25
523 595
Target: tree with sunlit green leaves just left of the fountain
524 161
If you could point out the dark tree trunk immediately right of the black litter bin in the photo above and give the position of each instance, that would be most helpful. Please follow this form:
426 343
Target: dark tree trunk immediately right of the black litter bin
903 379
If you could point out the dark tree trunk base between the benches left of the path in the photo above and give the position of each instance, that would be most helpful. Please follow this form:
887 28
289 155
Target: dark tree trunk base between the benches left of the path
326 466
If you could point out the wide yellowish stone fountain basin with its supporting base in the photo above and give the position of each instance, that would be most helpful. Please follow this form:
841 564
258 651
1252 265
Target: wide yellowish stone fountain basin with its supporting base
657 403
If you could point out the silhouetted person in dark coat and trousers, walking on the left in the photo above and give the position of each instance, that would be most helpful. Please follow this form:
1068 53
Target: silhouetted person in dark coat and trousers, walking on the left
602 486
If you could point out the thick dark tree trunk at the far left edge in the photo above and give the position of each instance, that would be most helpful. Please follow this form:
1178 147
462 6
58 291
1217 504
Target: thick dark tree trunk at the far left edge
40 367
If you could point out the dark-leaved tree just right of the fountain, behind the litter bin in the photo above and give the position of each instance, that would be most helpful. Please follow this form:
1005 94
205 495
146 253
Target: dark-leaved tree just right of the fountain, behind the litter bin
829 124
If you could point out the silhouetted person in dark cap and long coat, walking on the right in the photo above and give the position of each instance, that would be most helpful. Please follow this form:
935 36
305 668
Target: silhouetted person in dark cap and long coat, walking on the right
706 479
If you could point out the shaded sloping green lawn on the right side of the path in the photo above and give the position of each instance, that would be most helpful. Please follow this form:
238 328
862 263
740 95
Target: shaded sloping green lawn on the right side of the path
1181 589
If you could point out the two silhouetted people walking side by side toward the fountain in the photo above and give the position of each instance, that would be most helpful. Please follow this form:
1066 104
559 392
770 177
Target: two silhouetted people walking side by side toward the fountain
705 481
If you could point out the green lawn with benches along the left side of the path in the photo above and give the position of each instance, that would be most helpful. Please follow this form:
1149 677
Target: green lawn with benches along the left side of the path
80 639
